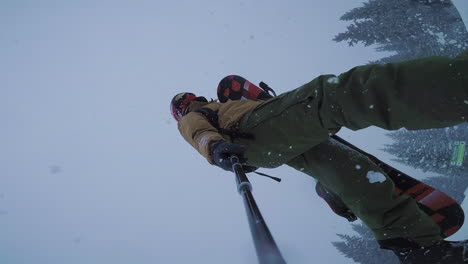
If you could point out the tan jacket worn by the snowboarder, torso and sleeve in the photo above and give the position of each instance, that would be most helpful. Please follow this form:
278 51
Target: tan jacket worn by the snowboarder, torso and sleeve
198 131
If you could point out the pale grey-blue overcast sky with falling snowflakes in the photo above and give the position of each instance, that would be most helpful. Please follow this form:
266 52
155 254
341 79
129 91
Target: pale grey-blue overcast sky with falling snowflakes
92 168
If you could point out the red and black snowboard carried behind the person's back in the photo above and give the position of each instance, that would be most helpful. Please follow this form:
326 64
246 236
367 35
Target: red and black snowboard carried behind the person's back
442 209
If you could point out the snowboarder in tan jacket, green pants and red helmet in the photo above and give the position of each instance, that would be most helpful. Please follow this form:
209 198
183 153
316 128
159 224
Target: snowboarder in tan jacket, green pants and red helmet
294 128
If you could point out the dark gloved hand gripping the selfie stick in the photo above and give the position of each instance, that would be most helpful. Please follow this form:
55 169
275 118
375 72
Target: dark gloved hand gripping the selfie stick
221 151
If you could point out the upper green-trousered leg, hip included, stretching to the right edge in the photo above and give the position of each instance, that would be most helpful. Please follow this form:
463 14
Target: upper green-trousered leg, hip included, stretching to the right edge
419 94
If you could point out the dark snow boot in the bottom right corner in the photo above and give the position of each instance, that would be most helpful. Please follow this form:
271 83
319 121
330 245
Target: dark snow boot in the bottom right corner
443 252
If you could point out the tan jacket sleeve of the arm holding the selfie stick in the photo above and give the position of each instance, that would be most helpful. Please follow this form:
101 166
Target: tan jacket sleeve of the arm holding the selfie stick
198 131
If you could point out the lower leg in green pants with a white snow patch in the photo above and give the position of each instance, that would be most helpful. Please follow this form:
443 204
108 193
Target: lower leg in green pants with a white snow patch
395 220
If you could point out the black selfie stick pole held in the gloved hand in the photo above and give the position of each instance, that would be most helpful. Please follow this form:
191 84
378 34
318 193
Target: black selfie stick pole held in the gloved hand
265 246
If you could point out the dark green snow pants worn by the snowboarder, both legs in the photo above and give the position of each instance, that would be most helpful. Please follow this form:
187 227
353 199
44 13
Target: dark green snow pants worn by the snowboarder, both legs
293 128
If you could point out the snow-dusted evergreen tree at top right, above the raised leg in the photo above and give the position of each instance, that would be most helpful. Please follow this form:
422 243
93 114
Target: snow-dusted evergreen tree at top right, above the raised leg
409 28
